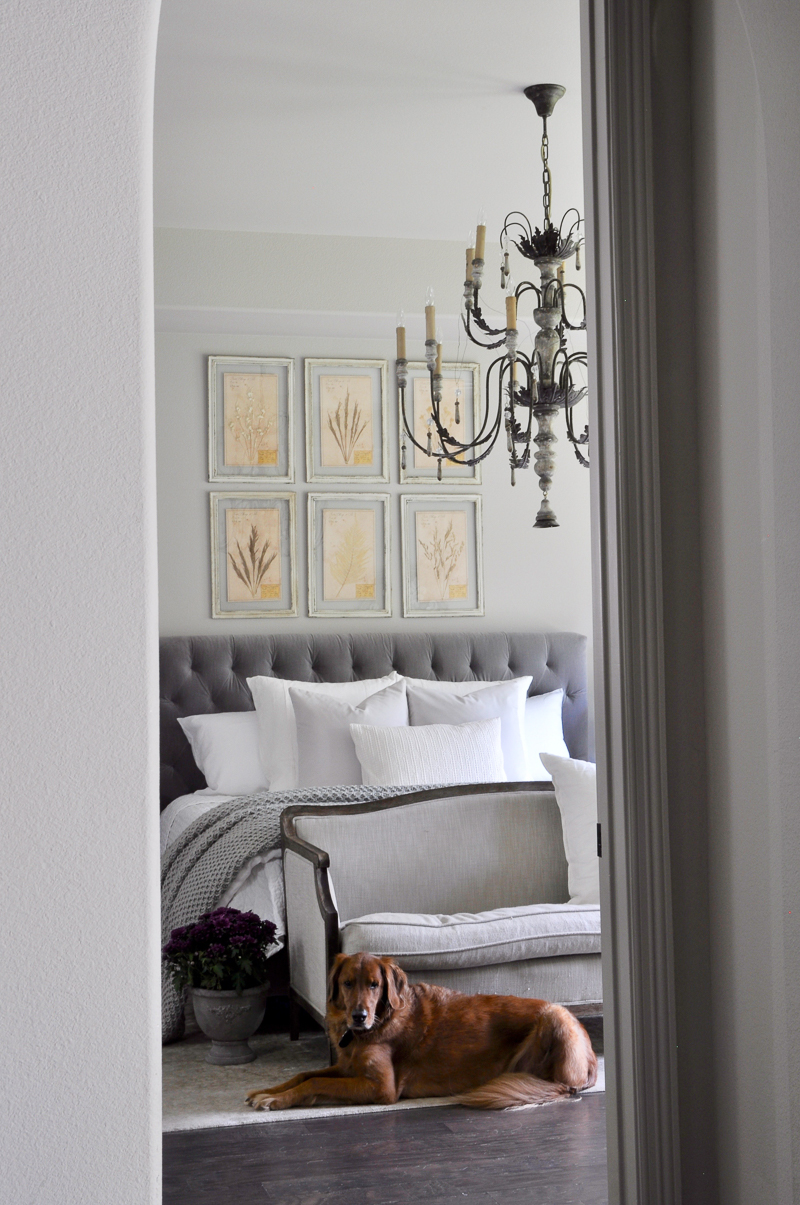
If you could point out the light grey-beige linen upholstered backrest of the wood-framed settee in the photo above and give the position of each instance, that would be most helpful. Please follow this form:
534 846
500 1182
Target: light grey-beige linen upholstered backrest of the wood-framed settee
461 854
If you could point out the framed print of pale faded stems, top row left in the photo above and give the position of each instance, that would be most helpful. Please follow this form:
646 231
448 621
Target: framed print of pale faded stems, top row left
251 419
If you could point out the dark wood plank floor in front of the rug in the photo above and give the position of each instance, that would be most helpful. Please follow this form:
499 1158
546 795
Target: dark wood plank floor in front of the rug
551 1156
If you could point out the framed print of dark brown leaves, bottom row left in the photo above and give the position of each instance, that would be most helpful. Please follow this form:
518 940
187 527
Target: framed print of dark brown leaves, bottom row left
254 556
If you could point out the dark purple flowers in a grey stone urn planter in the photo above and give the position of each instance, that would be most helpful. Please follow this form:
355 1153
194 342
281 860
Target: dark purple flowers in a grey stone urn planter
222 961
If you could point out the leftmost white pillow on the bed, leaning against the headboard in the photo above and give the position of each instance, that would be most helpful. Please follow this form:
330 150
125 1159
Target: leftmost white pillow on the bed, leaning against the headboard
225 745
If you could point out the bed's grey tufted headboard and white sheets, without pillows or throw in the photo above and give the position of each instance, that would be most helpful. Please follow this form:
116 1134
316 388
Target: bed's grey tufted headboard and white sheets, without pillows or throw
209 675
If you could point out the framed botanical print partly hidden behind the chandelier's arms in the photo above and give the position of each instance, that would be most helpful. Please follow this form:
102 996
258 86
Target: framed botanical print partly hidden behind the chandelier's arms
462 398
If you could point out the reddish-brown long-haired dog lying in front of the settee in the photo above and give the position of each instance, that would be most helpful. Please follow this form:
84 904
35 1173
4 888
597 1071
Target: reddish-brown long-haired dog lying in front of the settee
397 1039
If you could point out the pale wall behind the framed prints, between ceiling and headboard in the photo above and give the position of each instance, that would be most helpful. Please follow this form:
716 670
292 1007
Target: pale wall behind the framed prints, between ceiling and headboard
222 293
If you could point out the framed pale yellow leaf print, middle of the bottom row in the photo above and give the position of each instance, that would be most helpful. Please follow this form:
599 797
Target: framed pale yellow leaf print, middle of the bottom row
349 555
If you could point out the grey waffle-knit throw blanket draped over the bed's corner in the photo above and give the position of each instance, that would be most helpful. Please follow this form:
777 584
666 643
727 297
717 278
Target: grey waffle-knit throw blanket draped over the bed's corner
209 855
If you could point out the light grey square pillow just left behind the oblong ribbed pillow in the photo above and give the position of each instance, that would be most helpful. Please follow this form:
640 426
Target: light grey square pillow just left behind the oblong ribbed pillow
326 751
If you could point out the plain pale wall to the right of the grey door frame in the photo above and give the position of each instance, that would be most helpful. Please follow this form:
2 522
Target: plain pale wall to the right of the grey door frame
748 163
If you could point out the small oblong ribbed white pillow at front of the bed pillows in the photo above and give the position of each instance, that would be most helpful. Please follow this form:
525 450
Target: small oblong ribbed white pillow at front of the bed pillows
432 754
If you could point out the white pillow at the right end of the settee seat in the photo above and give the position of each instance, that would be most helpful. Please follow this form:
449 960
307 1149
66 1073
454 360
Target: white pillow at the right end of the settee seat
577 795
